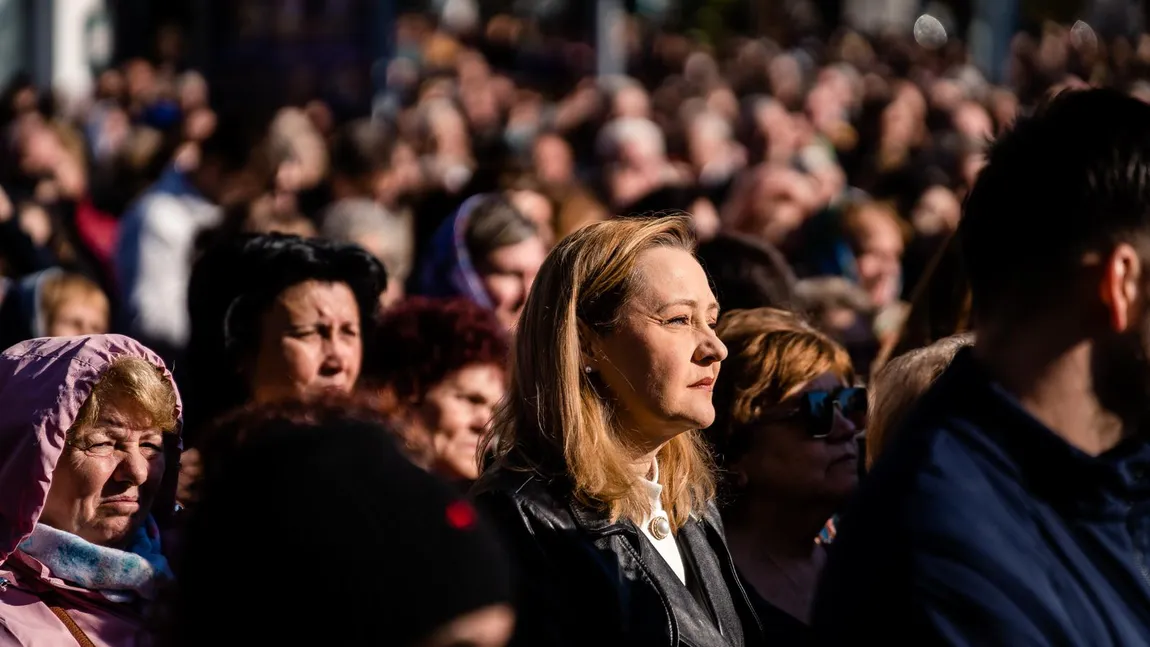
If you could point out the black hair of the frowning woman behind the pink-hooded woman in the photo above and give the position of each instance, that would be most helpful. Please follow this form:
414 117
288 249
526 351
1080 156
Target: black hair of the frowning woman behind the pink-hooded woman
234 284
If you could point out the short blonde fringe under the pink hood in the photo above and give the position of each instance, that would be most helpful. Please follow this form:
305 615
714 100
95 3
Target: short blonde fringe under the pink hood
139 383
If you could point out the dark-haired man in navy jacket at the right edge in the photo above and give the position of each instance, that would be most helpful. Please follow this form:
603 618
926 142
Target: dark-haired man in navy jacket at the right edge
1014 509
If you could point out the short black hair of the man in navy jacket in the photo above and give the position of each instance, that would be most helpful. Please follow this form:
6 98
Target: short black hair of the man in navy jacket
1074 178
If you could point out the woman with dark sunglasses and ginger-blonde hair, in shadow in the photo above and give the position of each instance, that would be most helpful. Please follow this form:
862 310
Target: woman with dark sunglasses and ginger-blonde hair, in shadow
786 435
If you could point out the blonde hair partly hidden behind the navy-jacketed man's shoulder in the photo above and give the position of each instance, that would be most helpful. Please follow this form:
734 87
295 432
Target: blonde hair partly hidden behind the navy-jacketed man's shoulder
900 384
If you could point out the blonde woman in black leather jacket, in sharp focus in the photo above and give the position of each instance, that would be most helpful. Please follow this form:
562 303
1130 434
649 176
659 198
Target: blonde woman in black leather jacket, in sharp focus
600 479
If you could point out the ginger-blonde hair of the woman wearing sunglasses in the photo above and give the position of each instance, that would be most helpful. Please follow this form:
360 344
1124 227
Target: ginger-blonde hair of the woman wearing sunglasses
772 356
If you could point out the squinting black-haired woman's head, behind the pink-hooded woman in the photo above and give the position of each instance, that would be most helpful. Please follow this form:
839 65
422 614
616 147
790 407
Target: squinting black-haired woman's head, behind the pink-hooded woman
278 318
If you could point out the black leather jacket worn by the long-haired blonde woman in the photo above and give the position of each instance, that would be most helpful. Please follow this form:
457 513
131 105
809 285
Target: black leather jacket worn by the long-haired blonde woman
585 581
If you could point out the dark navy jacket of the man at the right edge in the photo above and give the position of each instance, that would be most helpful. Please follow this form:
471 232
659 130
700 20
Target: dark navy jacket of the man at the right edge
982 527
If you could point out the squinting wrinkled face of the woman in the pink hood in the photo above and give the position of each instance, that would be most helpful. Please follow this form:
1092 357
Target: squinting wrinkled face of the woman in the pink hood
108 477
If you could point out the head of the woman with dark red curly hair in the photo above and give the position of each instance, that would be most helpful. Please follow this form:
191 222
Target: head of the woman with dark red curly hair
443 365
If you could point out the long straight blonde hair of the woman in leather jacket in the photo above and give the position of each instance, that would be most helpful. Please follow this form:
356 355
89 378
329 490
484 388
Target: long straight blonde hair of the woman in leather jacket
554 420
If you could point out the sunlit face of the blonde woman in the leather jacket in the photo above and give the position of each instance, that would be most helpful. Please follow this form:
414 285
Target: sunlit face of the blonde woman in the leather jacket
662 359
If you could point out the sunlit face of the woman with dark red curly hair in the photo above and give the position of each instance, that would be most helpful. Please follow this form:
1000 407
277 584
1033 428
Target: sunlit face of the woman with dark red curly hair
456 414
